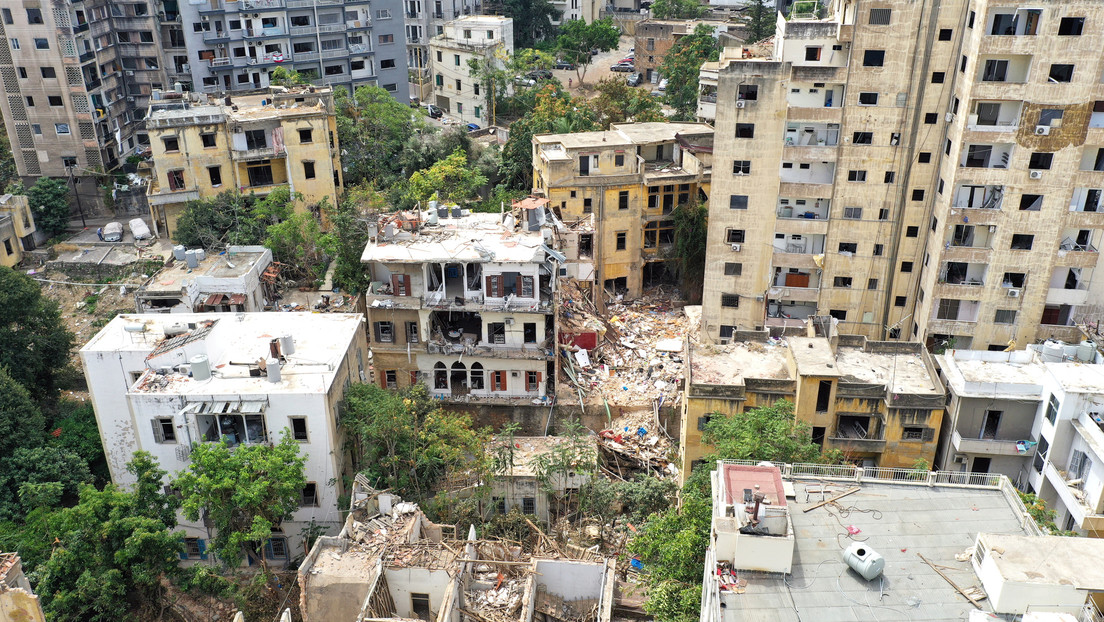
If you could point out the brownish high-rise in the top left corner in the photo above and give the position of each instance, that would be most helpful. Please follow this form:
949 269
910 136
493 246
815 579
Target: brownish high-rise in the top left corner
78 78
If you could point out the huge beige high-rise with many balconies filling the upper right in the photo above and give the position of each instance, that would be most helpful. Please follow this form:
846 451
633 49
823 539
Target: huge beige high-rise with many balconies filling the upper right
916 173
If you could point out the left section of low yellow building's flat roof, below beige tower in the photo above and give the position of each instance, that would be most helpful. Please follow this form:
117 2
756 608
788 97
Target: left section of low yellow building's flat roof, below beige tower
731 364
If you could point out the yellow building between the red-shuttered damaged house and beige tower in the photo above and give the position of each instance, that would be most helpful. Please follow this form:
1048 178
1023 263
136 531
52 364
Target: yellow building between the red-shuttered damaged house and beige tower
631 178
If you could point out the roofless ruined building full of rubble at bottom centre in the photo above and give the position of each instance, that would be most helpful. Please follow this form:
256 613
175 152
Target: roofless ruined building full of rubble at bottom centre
390 563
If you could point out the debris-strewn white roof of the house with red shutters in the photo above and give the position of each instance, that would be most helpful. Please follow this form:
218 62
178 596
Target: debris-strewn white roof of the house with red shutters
470 239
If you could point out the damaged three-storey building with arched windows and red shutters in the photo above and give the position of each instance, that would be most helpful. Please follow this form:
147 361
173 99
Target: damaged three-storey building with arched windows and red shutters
463 302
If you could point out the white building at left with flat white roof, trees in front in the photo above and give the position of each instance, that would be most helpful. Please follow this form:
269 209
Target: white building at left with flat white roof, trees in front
164 383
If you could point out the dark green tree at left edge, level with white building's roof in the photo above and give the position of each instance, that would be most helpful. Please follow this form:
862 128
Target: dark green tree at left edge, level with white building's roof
35 344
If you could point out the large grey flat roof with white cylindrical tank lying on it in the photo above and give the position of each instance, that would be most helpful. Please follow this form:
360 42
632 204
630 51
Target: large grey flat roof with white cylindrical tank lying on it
897 522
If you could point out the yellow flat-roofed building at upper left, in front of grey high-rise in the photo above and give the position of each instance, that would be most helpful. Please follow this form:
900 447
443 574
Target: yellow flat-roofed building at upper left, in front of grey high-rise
254 144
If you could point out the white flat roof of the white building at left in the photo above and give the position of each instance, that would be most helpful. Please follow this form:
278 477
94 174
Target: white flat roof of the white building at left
233 343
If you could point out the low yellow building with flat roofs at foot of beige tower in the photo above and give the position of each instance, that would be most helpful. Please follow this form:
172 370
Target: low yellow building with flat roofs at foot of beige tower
879 403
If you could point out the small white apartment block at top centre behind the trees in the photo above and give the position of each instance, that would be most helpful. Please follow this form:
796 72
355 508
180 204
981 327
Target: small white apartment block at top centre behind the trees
455 90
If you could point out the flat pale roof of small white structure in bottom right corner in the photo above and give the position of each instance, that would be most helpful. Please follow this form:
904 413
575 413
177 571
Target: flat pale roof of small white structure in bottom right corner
1048 561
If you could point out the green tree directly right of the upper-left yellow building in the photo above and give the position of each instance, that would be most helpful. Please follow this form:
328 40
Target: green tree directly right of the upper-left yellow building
373 129
